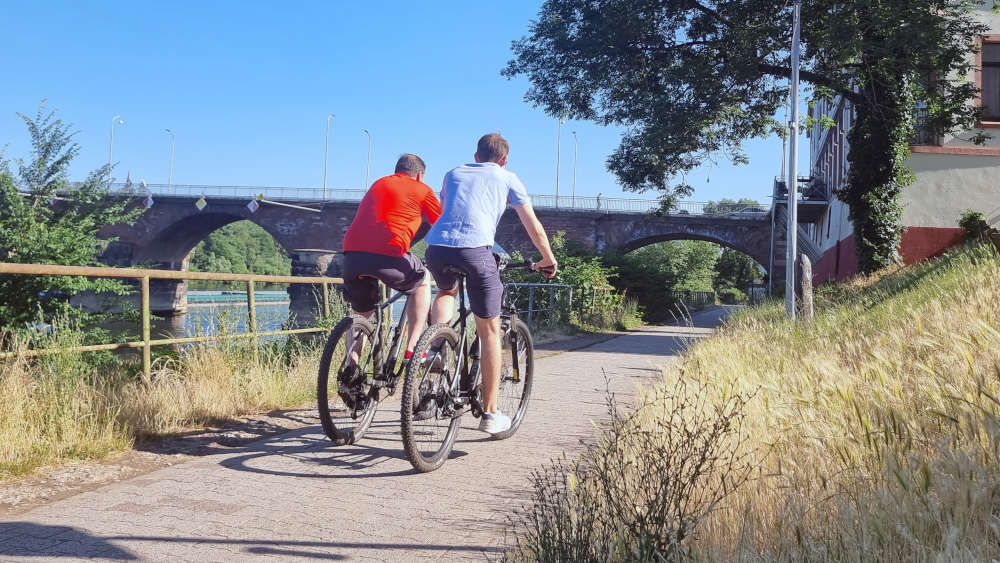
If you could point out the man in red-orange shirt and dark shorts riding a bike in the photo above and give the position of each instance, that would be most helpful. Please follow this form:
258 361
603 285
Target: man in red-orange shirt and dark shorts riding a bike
397 211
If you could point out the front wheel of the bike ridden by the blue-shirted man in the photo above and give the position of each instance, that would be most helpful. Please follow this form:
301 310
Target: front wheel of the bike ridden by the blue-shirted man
515 388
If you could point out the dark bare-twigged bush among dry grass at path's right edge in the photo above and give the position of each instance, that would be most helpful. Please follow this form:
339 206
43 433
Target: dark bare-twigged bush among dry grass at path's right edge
641 492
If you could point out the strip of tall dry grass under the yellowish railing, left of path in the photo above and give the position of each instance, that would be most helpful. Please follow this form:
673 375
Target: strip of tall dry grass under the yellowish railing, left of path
66 407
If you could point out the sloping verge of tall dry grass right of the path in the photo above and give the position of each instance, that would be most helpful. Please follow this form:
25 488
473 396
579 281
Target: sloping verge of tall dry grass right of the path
872 433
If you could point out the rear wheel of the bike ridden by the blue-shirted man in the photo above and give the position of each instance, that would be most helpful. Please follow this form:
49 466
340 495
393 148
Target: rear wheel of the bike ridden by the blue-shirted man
429 434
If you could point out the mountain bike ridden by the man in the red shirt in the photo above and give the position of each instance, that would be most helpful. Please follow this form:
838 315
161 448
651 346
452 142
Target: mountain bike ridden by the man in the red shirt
361 381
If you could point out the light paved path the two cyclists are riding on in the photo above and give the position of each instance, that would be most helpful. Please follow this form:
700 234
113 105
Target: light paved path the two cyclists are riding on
294 497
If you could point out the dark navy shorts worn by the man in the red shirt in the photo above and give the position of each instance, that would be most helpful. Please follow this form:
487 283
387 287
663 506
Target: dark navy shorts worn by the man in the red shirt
363 271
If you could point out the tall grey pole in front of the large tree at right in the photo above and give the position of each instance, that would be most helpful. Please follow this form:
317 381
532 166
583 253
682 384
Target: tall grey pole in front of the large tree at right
793 172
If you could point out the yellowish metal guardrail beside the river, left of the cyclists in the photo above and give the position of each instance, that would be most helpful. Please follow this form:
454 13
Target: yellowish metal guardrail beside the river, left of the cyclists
144 276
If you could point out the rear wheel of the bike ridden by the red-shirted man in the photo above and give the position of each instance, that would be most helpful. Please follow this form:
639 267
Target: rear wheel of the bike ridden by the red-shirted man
345 422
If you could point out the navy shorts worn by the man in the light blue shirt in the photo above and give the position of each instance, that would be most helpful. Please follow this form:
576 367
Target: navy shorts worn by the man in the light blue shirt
482 279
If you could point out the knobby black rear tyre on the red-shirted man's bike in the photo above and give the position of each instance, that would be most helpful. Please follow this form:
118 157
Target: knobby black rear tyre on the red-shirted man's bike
349 430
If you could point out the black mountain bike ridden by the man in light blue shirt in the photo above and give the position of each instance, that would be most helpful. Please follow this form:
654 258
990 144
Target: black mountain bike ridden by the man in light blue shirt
445 385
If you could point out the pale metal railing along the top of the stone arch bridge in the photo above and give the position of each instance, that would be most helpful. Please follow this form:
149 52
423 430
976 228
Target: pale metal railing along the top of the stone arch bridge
543 201
